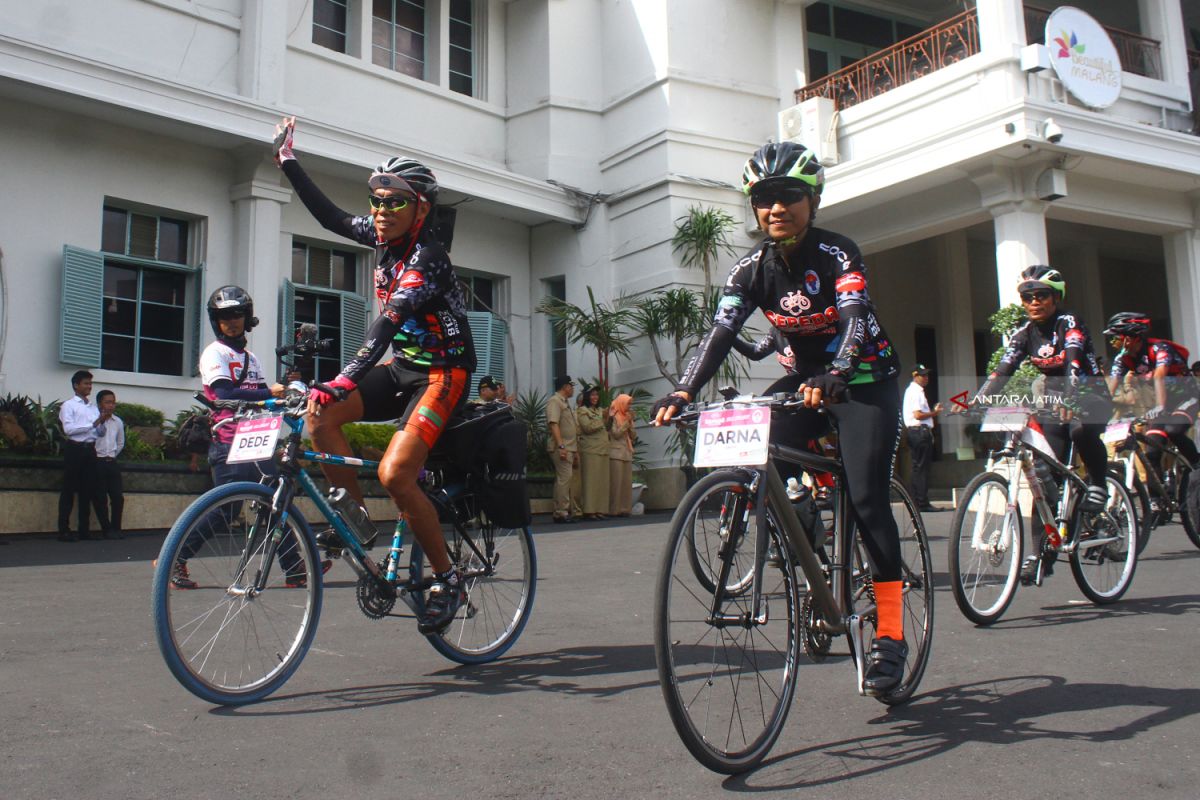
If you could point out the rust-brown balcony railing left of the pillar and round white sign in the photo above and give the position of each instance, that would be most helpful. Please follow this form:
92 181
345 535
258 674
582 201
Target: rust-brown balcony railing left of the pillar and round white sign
914 58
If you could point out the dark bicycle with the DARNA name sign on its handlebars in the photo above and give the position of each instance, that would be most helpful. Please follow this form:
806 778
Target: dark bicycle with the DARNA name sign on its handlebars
731 616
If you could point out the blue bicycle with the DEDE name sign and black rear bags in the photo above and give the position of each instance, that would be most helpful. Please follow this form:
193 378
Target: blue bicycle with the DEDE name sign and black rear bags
242 634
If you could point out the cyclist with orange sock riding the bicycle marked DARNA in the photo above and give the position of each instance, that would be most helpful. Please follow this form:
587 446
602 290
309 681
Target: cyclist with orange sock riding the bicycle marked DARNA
812 286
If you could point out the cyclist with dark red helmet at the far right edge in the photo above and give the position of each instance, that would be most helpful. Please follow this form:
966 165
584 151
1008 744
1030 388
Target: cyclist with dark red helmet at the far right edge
1166 364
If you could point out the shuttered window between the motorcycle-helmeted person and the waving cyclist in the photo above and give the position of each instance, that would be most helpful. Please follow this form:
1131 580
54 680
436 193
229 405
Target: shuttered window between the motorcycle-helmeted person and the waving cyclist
325 292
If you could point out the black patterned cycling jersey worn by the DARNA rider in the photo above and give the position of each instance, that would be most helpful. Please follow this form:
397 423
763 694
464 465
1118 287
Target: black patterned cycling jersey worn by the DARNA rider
817 299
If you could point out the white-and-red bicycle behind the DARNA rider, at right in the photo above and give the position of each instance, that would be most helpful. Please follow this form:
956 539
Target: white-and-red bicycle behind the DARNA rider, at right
988 531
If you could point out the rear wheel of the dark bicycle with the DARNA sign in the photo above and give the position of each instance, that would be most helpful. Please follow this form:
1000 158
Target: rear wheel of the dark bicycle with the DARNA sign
919 593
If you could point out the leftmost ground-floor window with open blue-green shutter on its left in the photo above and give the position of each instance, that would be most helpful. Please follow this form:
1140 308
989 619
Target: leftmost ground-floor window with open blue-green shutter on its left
135 305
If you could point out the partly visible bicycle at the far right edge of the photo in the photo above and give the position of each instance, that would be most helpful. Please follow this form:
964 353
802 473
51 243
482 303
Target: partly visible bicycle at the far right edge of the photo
1163 494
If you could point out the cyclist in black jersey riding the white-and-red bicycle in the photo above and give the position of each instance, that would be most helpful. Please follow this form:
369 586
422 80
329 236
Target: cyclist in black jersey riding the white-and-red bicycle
1058 344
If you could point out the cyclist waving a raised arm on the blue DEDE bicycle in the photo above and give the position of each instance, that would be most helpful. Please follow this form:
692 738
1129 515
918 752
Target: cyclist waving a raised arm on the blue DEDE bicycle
424 322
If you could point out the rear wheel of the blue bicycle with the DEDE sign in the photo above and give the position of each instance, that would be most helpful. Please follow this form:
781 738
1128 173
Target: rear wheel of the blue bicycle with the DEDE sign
497 607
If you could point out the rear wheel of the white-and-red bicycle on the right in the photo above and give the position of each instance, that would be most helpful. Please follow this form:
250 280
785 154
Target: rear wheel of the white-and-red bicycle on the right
1105 573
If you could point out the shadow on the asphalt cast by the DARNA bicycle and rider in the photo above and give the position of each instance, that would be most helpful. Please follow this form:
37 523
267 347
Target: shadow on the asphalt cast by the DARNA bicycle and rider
1006 712
